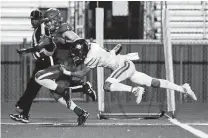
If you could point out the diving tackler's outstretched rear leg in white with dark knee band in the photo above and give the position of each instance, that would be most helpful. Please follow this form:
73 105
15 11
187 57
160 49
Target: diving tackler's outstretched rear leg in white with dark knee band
144 79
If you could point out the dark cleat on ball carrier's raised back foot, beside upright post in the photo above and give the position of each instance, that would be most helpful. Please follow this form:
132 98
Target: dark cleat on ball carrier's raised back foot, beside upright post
89 91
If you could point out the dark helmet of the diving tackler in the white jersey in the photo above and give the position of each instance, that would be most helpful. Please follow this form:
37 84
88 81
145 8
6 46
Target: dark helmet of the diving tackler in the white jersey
79 51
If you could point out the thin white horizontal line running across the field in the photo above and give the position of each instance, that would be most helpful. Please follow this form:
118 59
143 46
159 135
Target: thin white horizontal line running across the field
105 124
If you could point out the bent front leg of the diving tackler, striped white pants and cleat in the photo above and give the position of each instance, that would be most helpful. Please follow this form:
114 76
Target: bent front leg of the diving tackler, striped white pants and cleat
122 73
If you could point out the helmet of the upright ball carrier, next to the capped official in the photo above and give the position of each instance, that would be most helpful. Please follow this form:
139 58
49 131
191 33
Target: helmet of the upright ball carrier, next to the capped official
52 19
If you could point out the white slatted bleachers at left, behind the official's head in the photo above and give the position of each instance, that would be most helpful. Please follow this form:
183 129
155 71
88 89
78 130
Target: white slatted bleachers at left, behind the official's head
15 25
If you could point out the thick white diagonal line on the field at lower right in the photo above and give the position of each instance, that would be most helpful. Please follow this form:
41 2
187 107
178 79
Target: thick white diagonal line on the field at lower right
194 131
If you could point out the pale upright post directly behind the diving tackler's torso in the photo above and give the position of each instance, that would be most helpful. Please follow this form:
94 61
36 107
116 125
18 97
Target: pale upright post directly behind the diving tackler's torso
100 70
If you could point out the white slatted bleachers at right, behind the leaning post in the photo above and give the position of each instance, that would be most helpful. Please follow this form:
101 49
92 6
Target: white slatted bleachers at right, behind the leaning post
188 20
